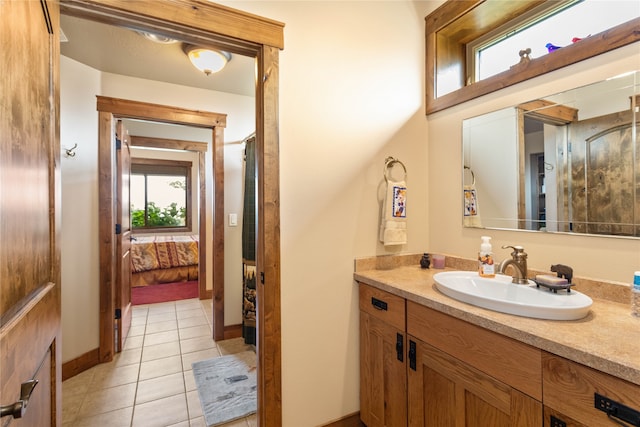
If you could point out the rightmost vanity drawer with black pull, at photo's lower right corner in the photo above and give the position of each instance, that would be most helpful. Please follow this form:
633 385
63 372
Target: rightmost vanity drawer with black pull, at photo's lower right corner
569 388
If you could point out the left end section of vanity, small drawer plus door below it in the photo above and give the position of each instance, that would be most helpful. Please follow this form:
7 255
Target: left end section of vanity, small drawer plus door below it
383 377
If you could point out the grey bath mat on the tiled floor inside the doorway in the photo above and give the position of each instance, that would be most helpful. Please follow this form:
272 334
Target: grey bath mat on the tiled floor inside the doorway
227 387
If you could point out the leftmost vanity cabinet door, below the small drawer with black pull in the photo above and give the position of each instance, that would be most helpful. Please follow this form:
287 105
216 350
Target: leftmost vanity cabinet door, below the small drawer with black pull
383 382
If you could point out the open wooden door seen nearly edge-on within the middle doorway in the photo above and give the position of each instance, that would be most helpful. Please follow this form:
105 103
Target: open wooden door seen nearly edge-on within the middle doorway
123 236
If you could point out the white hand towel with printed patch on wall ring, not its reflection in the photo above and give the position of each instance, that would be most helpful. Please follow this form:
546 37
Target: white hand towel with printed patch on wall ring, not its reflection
393 223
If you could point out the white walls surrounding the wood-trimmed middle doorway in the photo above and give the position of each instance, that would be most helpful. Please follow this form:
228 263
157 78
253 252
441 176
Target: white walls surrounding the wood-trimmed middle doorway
79 124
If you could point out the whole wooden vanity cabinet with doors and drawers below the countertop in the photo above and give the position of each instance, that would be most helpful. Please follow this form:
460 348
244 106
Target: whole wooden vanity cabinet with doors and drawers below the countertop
454 373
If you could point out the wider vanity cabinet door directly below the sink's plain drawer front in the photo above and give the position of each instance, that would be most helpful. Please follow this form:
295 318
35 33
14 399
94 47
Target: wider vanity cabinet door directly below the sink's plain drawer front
443 392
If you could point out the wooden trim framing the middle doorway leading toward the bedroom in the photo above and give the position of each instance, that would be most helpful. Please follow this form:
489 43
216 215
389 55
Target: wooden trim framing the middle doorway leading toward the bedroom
110 110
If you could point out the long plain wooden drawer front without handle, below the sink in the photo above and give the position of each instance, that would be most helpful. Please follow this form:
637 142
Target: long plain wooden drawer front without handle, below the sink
511 362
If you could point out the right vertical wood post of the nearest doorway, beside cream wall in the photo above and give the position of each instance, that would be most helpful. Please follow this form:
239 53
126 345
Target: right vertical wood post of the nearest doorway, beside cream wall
268 316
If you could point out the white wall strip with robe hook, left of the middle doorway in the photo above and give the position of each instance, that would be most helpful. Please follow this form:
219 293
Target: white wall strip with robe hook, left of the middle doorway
79 177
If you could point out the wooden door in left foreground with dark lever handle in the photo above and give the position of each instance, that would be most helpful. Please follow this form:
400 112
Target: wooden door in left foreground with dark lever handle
30 349
